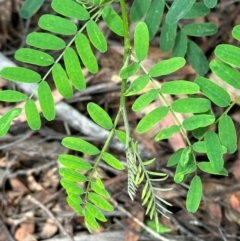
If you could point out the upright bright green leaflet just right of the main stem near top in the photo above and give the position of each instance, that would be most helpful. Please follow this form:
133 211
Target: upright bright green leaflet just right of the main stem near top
141 41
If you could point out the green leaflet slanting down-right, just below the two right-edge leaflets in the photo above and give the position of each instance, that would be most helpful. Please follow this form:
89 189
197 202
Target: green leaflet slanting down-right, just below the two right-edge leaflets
214 92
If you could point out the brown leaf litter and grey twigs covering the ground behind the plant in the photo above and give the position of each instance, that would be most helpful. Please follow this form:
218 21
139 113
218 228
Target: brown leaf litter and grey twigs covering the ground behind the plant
32 203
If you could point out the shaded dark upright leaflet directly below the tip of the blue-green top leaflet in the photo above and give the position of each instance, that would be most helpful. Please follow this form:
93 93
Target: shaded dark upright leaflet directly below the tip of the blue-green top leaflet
167 37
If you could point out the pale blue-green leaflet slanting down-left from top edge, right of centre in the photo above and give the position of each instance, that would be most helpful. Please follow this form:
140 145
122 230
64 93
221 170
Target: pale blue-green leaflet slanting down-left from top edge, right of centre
178 9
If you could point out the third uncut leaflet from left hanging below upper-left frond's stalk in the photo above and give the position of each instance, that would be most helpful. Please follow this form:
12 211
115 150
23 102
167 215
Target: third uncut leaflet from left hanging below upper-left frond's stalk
61 81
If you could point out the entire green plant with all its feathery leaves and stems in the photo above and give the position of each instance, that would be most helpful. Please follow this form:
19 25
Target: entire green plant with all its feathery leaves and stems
201 95
